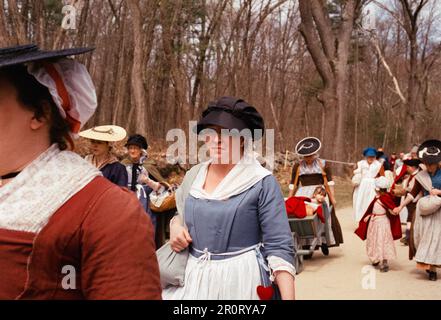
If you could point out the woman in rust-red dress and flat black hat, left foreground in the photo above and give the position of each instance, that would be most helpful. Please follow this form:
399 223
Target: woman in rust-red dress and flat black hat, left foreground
66 232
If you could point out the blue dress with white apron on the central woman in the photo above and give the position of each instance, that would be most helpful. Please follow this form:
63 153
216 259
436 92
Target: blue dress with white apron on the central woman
222 227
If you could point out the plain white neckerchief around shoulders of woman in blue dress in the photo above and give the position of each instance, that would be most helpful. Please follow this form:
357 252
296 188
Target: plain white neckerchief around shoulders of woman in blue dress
246 173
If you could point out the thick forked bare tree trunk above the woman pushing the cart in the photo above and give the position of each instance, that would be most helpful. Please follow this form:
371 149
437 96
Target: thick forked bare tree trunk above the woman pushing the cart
329 46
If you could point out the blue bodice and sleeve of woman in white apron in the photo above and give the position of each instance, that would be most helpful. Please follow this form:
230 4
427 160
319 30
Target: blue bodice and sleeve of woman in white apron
256 215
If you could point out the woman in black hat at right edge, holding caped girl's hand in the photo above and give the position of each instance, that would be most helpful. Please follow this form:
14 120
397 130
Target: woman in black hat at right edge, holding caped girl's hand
427 226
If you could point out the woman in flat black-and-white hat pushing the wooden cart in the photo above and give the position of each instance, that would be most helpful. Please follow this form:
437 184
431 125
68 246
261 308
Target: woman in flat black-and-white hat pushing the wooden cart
306 175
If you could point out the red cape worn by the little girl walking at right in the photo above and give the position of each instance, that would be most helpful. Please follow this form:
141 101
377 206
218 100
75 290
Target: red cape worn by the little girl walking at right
388 202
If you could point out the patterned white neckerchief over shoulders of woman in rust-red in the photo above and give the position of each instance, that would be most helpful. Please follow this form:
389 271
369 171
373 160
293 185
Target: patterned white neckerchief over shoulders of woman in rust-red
28 201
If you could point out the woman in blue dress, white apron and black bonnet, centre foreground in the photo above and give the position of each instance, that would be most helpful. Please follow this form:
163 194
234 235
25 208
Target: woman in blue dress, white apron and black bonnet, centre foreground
233 208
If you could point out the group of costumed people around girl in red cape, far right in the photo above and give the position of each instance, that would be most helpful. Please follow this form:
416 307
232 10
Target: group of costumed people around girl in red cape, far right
413 189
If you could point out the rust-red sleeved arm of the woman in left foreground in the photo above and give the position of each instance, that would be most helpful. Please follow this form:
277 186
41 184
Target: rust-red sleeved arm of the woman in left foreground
118 257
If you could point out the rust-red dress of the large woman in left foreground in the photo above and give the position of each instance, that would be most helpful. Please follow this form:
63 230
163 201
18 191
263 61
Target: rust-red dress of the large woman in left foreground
101 233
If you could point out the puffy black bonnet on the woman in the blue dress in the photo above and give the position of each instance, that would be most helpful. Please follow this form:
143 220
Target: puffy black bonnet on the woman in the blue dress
232 113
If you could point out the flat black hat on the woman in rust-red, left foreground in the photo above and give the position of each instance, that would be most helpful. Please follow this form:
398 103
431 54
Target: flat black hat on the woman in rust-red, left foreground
11 56
